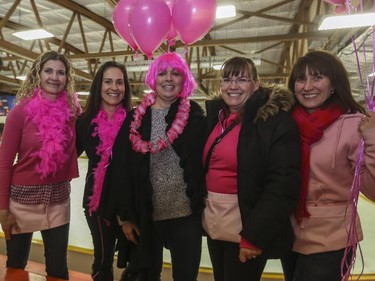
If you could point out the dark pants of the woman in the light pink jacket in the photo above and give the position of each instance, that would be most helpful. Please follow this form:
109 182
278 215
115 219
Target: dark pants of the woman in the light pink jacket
314 267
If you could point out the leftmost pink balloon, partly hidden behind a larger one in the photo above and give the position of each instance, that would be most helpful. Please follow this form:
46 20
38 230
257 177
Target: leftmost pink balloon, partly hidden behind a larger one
120 20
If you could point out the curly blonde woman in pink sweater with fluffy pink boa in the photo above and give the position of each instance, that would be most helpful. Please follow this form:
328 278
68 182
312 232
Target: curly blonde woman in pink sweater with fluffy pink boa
34 190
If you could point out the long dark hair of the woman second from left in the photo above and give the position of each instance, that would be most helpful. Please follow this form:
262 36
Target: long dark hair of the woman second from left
94 99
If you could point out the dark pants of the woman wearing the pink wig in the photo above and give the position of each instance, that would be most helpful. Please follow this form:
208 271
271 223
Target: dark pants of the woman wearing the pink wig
183 238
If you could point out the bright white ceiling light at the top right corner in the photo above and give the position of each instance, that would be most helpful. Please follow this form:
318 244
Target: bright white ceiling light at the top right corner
348 21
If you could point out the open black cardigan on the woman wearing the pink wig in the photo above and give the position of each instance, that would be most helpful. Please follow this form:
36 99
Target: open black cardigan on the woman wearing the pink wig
128 177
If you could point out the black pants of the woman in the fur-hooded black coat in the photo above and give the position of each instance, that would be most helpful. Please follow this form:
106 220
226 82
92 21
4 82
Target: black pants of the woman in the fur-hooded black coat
226 264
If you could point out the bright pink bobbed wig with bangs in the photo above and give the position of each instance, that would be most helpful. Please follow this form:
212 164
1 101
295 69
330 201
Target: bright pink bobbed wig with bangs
176 62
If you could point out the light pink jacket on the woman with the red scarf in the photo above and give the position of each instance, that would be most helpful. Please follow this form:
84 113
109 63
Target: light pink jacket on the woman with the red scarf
332 163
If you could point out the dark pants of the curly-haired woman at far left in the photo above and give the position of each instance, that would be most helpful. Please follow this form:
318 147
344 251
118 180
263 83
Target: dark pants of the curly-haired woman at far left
55 242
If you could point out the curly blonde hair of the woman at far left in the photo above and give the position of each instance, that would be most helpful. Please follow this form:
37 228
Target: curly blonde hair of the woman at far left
33 79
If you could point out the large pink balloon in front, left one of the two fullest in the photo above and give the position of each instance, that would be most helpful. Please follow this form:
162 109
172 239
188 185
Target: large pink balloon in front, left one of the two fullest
149 22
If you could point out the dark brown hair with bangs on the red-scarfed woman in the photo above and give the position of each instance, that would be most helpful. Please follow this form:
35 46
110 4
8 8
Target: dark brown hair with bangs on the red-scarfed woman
328 65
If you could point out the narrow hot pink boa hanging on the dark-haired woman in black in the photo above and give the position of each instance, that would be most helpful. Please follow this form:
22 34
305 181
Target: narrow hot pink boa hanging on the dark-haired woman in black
106 129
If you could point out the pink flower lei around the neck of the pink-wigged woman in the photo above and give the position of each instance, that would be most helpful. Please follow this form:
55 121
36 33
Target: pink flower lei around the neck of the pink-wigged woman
178 126
